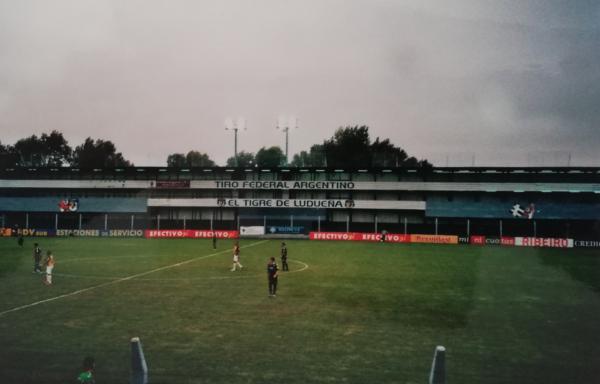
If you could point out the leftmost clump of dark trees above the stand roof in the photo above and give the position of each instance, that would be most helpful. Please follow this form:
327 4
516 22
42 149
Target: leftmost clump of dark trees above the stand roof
53 150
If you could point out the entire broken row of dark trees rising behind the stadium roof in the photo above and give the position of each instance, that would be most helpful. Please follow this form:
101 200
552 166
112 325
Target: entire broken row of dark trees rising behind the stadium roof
349 147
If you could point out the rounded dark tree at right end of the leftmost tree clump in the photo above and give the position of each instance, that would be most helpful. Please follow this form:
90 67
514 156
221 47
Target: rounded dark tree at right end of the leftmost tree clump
98 154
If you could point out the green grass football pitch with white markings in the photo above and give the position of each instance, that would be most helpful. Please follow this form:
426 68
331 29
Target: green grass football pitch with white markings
346 313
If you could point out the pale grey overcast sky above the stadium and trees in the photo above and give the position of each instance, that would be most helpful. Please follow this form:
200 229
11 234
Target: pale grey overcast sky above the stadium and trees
512 82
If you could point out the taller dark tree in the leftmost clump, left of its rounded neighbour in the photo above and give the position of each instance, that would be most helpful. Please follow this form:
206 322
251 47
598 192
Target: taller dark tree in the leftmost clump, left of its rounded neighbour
46 151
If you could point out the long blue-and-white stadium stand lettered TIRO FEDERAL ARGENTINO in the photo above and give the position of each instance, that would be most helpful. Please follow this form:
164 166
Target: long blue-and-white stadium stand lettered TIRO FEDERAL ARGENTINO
536 202
